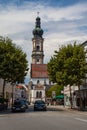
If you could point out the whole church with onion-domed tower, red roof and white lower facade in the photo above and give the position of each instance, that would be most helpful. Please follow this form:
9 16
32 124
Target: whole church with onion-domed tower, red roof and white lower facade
38 74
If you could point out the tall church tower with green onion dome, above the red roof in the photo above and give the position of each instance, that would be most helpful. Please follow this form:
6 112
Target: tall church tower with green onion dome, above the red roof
37 41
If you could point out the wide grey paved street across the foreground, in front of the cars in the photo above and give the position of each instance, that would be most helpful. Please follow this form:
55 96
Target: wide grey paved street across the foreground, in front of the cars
53 119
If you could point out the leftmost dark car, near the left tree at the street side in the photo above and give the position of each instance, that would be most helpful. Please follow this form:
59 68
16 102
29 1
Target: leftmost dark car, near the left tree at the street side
18 105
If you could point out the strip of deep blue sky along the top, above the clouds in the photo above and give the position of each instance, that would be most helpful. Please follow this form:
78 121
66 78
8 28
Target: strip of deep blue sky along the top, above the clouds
49 2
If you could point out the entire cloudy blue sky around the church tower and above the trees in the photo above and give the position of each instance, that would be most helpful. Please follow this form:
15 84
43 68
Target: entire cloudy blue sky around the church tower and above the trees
63 22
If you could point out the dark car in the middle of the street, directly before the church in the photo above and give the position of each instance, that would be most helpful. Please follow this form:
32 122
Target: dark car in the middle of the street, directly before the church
40 105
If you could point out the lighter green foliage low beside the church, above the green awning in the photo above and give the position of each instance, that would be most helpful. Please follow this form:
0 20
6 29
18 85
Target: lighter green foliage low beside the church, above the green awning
55 88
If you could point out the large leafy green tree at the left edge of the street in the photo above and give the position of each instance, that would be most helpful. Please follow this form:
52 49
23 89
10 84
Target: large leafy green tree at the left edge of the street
13 63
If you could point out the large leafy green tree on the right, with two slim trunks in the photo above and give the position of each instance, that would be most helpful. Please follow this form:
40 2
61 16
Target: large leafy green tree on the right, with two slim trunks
70 66
